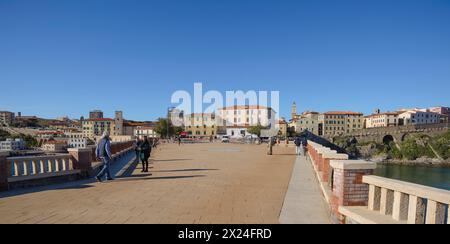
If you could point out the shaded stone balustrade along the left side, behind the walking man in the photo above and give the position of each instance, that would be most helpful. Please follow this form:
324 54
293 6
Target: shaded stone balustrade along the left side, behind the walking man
40 170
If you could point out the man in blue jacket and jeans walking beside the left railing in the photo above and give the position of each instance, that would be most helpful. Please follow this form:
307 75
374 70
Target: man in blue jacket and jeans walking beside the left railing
103 152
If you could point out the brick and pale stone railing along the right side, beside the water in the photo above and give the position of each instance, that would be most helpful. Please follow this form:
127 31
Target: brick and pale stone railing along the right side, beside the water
356 196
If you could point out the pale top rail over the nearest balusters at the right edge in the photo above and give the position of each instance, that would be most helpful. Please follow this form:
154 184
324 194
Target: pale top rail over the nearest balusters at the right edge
435 194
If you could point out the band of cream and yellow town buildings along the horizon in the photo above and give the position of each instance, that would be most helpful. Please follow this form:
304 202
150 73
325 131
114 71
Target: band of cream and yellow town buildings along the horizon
19 133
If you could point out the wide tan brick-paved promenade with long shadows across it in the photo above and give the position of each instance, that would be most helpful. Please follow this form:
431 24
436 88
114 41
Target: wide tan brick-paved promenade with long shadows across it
199 183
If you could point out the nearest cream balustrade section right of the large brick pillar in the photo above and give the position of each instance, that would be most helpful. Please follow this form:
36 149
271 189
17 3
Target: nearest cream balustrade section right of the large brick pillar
408 202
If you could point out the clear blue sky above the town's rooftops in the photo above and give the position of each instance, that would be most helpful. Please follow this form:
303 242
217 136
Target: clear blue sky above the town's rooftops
66 57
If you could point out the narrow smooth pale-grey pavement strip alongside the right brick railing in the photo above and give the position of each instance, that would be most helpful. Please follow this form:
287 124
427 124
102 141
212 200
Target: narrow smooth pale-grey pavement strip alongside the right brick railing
304 202
